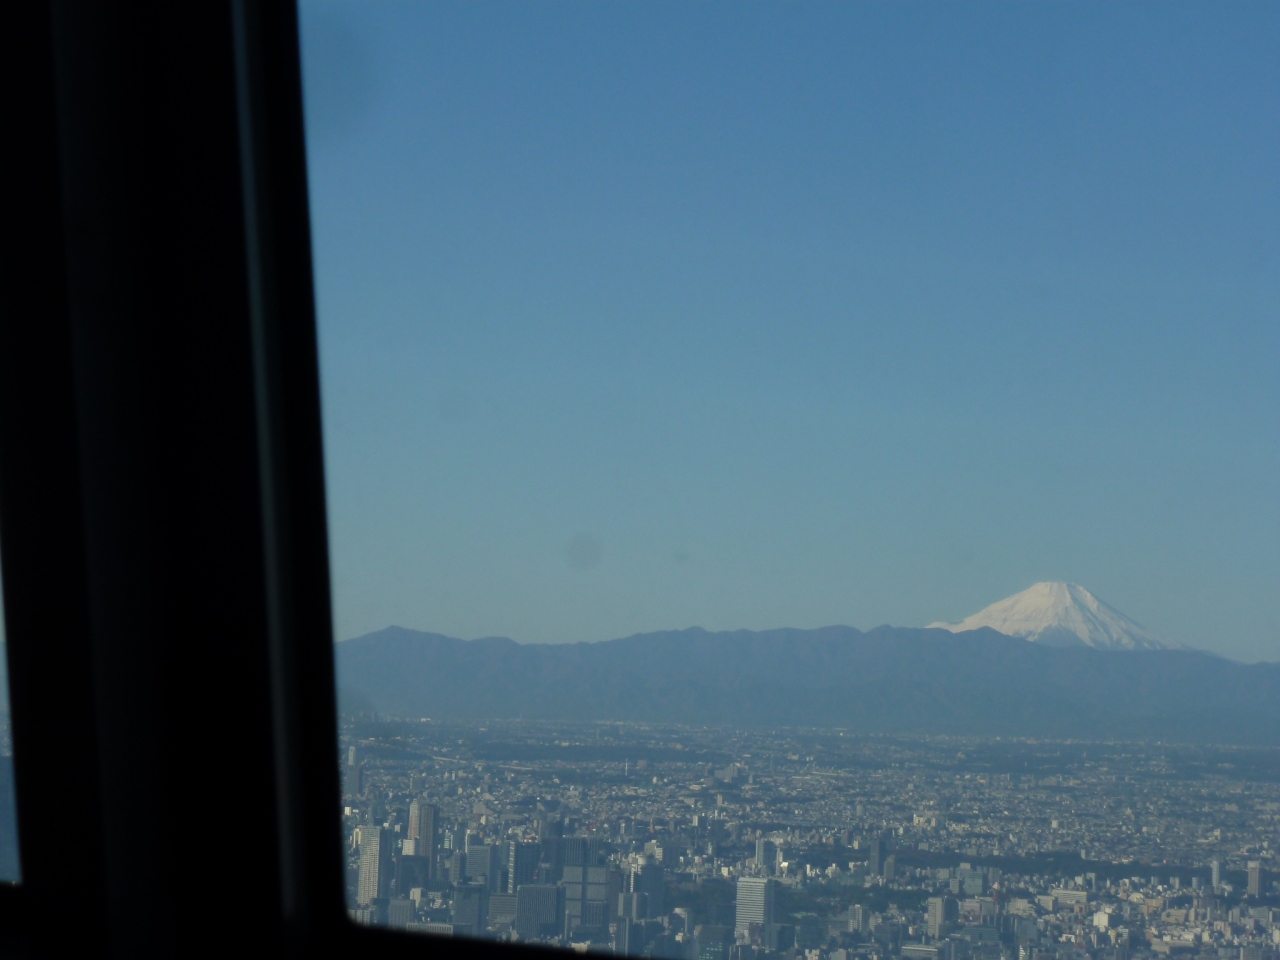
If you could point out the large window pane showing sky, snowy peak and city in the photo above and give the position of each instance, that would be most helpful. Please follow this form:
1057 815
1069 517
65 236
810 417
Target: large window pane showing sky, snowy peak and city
803 477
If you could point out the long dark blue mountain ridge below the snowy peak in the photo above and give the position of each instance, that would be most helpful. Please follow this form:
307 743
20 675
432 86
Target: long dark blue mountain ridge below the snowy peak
889 680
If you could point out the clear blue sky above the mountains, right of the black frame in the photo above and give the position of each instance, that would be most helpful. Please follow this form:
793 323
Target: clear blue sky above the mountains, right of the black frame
753 316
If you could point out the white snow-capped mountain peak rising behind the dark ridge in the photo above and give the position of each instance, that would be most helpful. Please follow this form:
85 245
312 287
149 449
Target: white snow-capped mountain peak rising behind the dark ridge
1063 615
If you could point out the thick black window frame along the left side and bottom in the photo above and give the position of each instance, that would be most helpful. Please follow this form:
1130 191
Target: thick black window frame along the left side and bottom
162 495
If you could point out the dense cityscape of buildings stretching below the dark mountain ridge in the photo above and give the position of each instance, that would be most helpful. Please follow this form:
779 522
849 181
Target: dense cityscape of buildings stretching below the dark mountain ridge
724 844
